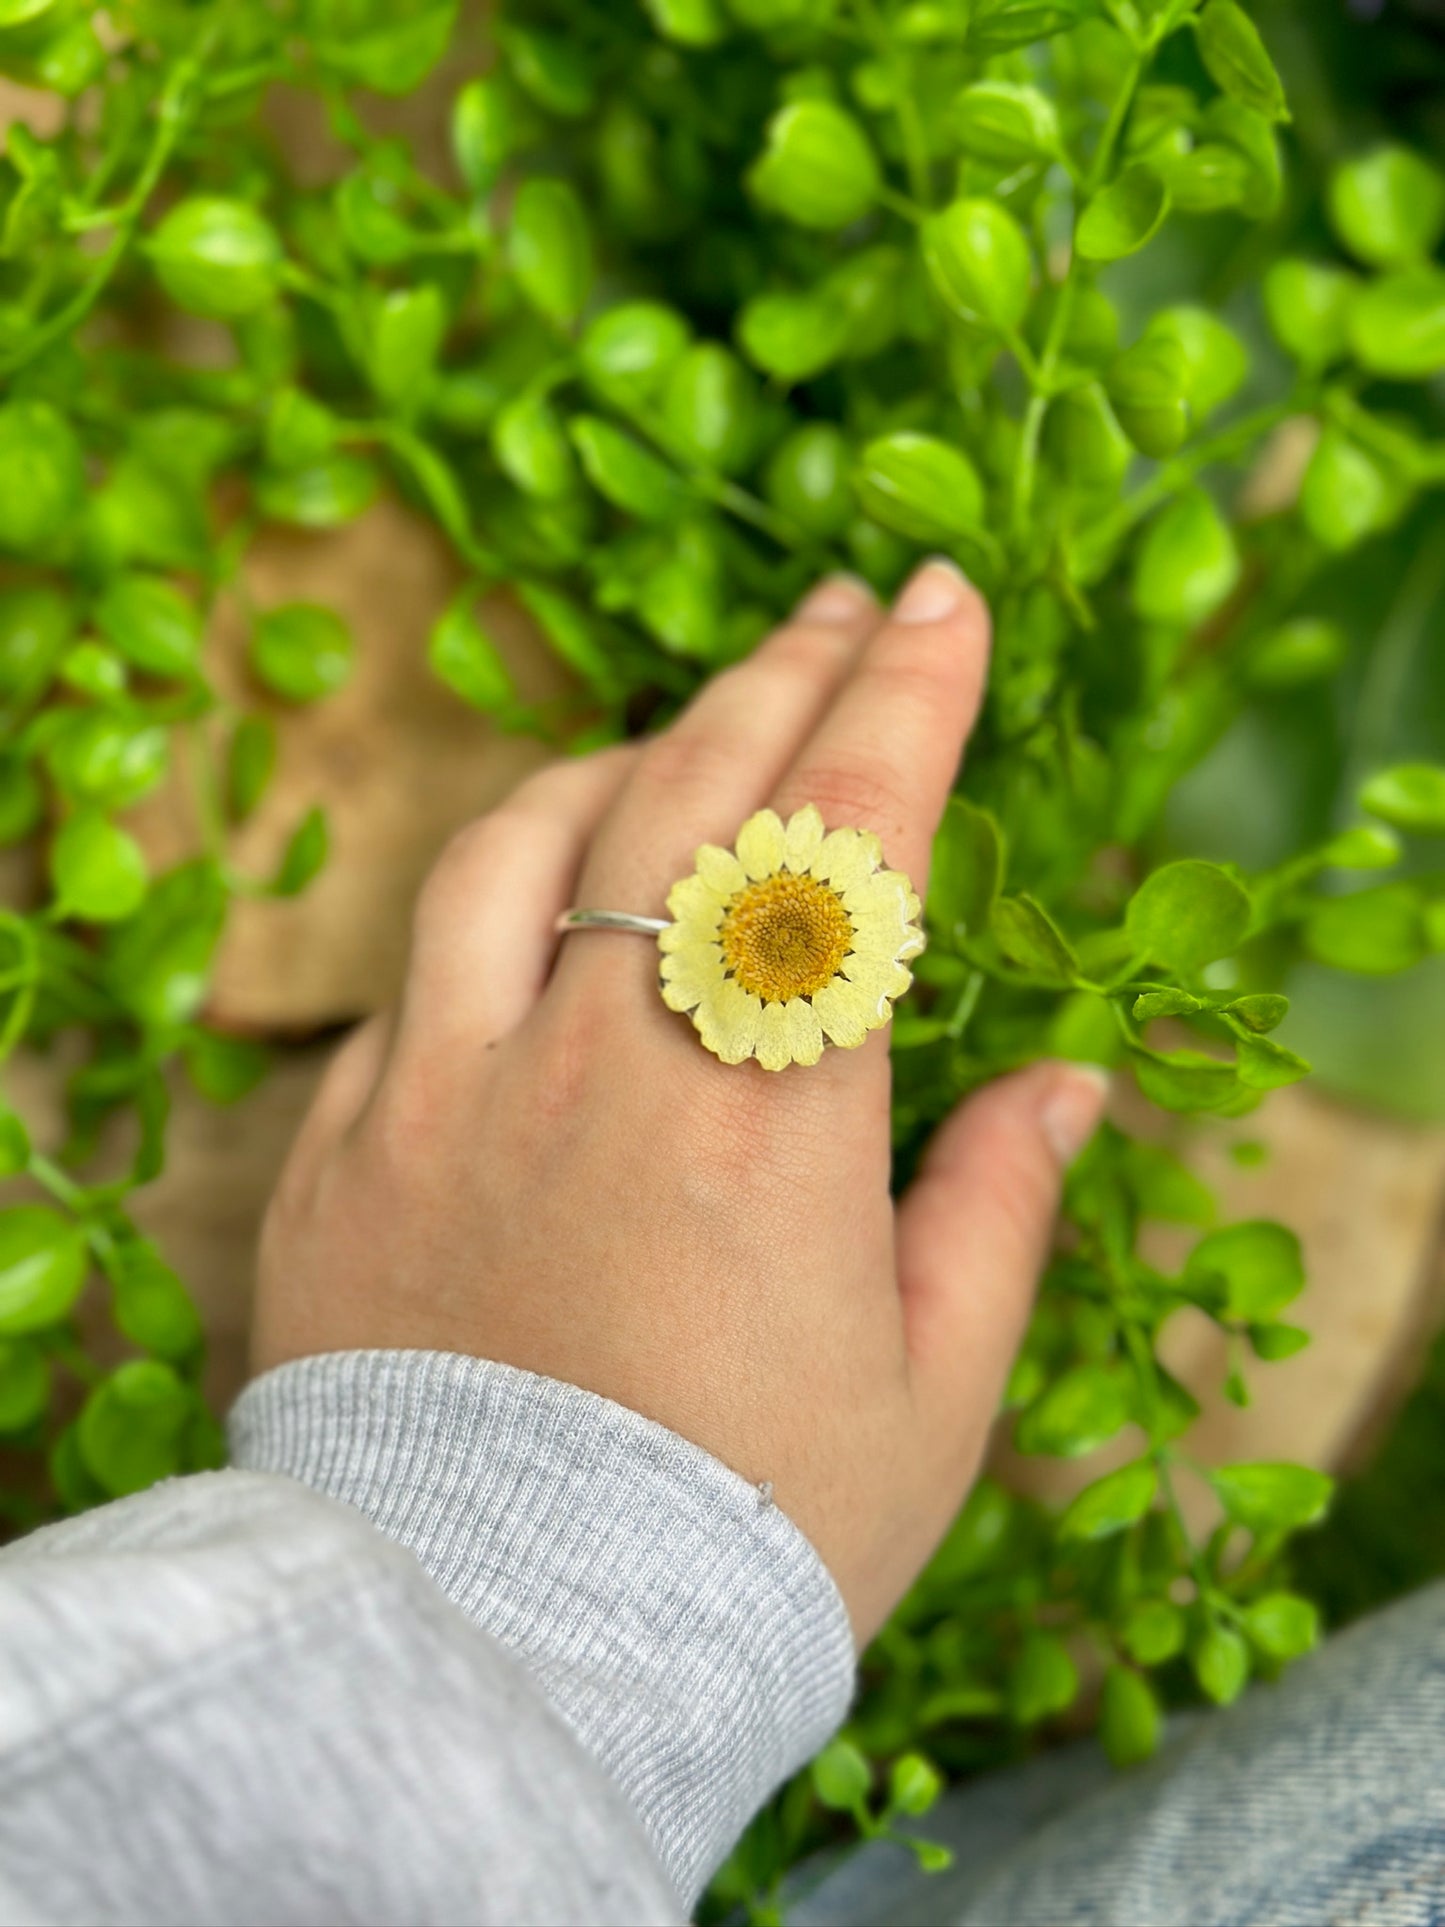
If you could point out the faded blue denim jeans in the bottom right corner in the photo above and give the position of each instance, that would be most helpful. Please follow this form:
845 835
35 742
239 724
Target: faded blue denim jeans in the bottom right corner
1315 1803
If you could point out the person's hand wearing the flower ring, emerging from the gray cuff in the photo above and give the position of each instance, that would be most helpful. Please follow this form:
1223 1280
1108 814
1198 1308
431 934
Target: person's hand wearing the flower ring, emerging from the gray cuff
535 1161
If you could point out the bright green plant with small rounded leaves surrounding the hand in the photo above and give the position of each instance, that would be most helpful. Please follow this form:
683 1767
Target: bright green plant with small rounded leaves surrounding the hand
722 296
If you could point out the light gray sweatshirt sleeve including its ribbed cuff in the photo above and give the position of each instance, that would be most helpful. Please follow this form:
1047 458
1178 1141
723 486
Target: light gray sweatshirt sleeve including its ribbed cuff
452 1645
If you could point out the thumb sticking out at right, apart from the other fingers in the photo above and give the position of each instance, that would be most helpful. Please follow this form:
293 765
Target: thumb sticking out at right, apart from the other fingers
976 1228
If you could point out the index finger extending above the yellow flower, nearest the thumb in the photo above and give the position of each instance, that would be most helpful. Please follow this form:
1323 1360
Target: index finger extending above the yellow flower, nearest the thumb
887 751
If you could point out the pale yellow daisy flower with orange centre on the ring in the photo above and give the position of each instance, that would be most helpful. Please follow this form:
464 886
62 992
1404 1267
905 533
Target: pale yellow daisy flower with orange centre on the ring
797 941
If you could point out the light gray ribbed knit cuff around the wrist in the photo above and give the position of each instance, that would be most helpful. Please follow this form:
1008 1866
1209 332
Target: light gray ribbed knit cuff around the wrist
685 1629
